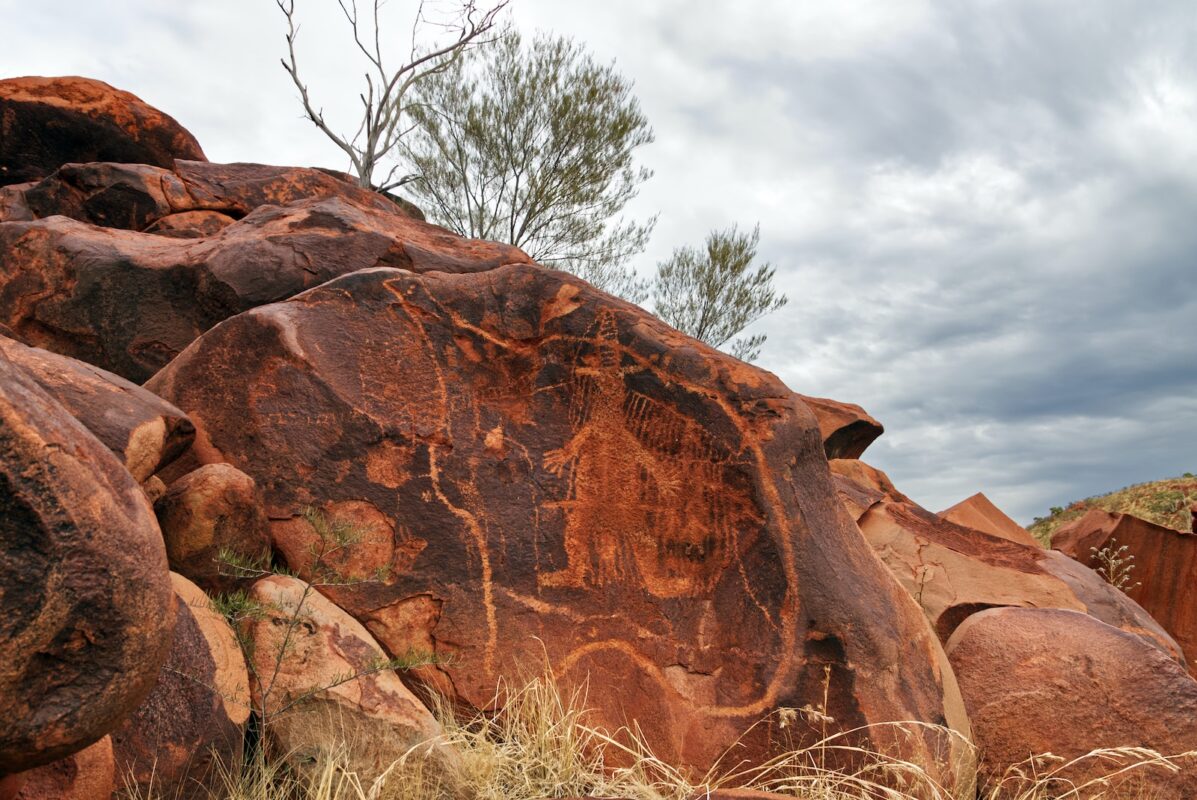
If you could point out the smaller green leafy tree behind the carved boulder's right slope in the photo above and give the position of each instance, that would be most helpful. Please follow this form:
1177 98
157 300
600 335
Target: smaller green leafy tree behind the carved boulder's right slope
714 293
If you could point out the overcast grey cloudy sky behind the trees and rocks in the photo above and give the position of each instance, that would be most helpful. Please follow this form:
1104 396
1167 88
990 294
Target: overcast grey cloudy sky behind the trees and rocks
985 213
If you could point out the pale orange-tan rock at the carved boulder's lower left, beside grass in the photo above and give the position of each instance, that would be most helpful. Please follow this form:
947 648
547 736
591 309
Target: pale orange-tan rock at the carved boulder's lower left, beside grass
375 712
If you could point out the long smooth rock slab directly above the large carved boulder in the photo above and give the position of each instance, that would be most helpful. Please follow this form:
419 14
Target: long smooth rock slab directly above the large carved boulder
130 302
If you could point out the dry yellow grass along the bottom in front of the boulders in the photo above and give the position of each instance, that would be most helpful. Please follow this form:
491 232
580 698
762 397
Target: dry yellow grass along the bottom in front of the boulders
540 747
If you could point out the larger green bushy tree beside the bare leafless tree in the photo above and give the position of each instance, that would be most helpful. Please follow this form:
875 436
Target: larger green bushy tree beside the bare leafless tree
533 147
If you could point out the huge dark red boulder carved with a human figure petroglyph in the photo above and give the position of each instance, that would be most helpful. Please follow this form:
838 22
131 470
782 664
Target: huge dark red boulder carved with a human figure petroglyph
543 470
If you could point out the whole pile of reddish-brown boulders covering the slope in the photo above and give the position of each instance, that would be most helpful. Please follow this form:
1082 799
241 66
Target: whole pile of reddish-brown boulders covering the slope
472 469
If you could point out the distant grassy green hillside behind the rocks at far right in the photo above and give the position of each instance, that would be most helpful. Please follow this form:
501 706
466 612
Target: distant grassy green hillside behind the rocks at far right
1164 502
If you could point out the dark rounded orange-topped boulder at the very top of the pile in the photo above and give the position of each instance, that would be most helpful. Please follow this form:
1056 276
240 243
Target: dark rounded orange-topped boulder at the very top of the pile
46 123
